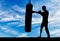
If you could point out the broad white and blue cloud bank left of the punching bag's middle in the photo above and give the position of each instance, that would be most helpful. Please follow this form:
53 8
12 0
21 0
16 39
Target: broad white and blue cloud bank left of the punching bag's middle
8 16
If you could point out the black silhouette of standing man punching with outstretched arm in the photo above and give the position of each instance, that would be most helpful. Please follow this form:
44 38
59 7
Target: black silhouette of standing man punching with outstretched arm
45 15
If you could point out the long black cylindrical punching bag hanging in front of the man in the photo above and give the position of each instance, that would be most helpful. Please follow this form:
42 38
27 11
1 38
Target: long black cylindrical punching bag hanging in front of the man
28 17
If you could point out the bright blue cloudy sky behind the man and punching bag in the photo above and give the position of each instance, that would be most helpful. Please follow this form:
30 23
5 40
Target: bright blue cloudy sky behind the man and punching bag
12 18
